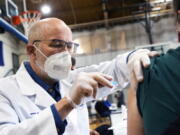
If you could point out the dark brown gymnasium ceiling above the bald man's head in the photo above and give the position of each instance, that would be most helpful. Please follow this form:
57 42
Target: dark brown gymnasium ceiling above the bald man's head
85 14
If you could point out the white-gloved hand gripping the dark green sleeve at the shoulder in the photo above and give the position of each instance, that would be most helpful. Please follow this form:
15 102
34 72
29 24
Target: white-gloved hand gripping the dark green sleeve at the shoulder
138 59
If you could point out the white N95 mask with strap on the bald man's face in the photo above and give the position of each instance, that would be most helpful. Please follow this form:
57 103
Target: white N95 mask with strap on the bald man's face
58 65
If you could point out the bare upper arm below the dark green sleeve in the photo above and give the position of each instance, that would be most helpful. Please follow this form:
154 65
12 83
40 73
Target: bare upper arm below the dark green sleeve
135 123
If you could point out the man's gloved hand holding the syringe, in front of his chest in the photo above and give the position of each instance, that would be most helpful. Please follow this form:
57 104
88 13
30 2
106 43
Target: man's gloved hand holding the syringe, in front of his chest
87 84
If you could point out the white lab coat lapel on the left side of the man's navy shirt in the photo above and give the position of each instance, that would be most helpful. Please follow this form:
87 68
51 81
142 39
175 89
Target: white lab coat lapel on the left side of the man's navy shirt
29 87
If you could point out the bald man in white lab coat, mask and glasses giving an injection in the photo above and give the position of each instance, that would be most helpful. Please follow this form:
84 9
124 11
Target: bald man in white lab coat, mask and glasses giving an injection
42 98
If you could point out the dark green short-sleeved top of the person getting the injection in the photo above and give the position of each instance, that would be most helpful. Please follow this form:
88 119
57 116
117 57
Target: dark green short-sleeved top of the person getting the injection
158 96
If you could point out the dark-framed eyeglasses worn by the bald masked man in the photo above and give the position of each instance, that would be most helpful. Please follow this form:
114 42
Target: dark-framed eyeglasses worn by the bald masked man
57 43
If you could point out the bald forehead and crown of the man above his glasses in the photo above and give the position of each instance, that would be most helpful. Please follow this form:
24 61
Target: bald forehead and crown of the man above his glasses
51 28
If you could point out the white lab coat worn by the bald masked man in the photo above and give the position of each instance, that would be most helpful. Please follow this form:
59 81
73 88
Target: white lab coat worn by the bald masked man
25 106
